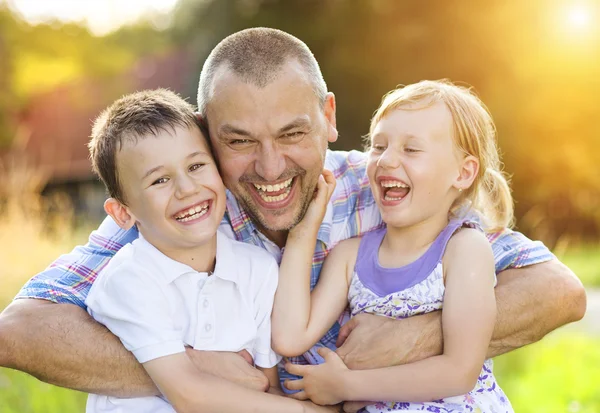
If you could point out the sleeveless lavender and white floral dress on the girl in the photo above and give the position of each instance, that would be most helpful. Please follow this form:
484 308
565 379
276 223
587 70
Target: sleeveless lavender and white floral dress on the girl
414 289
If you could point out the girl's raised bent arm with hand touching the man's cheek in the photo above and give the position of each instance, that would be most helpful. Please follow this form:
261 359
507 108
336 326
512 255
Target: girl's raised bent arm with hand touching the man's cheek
299 320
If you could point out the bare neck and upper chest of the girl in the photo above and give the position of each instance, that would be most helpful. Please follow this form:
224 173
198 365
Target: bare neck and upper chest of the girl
403 245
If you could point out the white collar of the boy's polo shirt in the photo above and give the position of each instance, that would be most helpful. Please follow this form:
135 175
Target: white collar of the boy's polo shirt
170 269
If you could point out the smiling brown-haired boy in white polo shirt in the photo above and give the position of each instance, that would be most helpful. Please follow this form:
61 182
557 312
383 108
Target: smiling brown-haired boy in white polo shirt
181 283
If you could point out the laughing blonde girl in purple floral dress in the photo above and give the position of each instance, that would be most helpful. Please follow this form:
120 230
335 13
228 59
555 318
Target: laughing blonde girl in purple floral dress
435 174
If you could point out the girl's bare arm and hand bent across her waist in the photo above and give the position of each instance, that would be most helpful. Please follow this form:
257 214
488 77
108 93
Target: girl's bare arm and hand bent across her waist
468 321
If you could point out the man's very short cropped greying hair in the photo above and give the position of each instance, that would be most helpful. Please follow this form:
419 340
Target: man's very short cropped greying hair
256 55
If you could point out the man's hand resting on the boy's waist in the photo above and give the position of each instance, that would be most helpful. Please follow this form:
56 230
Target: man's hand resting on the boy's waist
234 367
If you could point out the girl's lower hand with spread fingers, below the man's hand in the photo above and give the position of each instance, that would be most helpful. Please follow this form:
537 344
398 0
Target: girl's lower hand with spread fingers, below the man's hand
323 384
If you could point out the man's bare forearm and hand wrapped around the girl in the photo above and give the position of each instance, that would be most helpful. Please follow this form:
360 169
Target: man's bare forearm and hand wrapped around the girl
531 302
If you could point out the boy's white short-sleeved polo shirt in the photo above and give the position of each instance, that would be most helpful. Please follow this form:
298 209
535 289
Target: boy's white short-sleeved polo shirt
157 306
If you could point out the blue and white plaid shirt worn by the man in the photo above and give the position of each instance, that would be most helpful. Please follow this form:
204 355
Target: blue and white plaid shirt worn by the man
352 211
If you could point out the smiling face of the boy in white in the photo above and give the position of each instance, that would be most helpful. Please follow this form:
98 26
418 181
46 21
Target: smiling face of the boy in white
172 188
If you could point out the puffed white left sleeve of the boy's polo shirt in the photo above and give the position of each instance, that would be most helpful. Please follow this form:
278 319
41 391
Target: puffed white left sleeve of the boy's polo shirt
135 308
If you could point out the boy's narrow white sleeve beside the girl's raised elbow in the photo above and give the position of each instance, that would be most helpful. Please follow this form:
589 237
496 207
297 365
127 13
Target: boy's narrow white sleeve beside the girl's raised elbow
264 356
